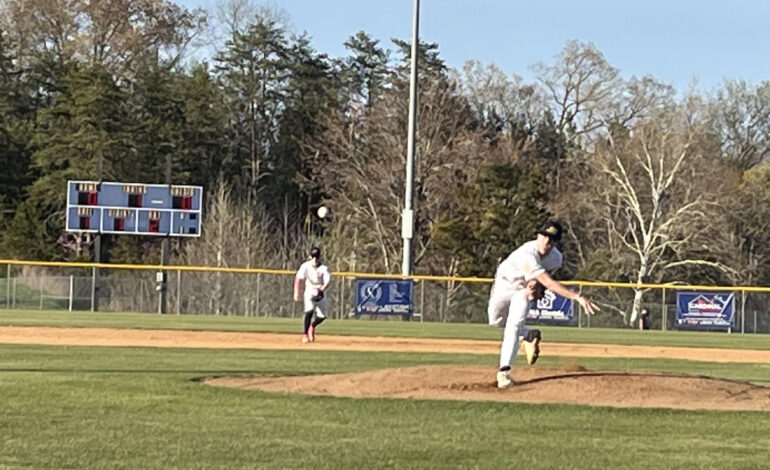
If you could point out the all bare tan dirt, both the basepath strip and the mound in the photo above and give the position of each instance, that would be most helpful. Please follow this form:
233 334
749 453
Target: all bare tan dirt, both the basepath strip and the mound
568 384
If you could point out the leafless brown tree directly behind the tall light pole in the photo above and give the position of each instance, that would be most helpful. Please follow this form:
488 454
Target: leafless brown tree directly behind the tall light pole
359 164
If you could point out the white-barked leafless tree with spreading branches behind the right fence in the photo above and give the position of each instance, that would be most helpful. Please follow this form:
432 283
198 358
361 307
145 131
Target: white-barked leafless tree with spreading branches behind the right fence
655 190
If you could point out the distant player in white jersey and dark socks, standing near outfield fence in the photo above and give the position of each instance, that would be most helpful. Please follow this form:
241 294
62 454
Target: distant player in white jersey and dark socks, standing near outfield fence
317 277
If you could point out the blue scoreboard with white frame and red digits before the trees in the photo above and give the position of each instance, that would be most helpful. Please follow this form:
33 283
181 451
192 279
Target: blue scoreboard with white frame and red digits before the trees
138 209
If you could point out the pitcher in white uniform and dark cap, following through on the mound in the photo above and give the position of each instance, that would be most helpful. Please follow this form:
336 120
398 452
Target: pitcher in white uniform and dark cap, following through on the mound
512 292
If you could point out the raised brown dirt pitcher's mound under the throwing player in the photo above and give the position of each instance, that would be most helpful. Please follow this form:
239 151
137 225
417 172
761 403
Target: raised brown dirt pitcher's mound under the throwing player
573 385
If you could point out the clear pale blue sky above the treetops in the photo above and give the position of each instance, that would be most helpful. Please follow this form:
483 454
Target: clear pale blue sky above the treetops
676 40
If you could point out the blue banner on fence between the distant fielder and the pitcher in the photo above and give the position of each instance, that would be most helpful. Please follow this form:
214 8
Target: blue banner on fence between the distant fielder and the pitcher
383 297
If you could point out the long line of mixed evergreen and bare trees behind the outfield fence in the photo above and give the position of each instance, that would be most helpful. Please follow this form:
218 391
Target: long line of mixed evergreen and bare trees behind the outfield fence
652 183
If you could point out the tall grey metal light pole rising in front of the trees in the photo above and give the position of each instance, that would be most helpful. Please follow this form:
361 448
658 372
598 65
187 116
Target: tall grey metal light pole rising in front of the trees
407 217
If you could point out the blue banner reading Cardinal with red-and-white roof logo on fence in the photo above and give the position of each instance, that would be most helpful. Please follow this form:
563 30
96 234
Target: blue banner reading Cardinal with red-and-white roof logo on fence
705 310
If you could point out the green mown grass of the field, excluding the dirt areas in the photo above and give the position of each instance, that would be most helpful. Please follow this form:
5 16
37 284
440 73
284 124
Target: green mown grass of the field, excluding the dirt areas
98 407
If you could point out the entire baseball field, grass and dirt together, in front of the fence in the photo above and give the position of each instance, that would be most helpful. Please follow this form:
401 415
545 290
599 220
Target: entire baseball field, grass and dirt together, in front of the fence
106 390
